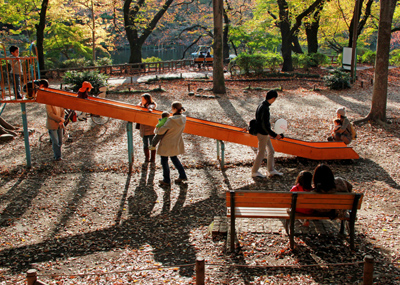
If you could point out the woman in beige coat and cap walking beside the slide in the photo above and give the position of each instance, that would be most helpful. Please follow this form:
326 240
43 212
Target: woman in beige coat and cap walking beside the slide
172 144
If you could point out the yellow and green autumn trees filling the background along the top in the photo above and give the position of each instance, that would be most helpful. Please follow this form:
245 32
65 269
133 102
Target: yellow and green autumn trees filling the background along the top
97 29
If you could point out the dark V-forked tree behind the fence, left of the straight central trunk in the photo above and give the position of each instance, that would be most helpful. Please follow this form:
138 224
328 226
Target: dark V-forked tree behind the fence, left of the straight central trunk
137 27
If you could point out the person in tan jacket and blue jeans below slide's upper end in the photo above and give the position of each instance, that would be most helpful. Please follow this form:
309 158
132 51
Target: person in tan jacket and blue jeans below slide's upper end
55 125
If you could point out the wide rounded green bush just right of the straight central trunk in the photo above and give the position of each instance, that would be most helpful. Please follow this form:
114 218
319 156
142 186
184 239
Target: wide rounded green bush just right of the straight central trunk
258 62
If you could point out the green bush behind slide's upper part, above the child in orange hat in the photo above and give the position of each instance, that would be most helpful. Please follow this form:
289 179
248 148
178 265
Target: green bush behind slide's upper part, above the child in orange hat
76 79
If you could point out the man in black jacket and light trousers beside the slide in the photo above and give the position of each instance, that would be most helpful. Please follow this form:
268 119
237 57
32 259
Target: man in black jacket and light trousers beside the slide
264 133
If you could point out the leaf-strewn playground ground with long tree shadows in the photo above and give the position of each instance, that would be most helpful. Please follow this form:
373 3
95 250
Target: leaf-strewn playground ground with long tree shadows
86 220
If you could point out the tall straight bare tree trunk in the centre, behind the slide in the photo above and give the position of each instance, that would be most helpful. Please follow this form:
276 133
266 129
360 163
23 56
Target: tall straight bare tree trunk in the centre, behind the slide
218 64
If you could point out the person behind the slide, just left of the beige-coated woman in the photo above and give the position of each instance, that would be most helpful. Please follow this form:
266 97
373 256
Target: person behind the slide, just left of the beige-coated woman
147 132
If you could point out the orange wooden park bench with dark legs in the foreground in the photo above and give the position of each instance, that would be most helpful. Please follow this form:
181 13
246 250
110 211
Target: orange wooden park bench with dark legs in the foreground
282 205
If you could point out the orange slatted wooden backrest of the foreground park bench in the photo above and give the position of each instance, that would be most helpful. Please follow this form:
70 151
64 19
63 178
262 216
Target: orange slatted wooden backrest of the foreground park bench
307 200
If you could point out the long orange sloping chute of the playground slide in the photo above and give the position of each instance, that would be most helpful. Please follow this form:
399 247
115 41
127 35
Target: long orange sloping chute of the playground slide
227 133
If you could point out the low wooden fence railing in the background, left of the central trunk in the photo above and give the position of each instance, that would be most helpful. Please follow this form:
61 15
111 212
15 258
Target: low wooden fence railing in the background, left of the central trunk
125 69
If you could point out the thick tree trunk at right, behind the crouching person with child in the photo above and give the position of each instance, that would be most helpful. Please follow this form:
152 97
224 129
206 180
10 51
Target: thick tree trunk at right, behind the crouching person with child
379 96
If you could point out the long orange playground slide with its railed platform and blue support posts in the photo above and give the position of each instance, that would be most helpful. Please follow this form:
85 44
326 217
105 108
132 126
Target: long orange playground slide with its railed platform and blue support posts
132 113
